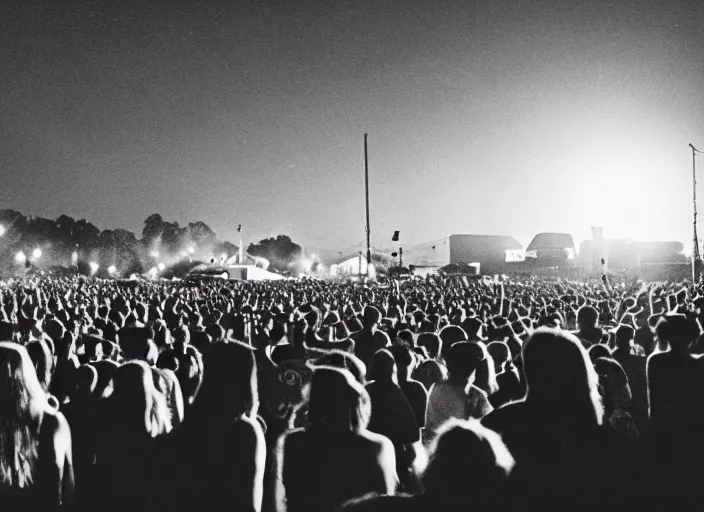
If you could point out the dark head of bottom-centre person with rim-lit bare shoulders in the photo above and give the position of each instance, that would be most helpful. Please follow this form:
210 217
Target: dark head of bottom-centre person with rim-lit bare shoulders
337 401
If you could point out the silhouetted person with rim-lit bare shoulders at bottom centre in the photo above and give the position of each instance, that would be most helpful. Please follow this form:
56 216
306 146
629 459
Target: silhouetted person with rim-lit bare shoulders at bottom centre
335 458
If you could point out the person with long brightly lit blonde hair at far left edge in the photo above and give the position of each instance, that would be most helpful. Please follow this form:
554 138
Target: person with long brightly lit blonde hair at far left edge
36 466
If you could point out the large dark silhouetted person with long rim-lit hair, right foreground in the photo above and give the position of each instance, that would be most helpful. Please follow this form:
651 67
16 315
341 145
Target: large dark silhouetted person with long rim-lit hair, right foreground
564 460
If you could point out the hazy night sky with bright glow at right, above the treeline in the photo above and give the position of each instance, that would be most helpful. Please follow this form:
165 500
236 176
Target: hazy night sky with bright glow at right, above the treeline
505 117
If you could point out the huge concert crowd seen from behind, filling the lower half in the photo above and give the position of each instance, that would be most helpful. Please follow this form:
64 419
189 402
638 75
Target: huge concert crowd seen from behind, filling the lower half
436 394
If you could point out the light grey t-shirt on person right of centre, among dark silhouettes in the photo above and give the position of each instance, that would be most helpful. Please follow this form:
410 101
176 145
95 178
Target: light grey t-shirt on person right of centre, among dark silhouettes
447 400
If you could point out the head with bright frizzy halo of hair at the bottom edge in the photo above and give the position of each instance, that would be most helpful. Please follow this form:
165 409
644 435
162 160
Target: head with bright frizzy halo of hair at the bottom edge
469 467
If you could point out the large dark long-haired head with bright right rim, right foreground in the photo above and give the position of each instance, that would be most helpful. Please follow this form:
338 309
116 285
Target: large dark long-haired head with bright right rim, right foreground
560 378
